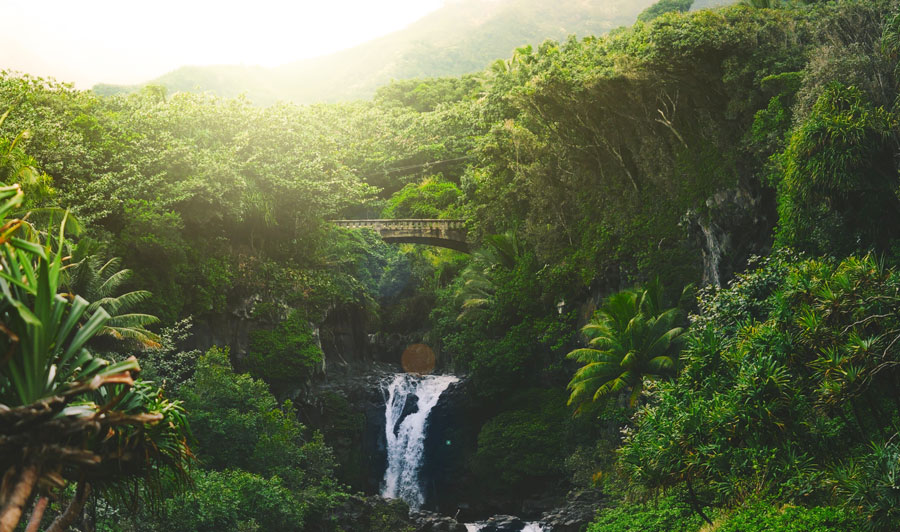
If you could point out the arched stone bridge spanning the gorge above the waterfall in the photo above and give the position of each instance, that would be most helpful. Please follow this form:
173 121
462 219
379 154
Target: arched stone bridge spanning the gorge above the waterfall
442 233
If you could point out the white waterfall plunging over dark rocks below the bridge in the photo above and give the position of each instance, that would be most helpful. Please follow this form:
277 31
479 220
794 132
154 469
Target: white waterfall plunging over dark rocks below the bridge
410 400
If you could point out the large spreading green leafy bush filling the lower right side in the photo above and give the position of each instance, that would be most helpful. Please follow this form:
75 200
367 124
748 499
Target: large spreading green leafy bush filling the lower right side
787 371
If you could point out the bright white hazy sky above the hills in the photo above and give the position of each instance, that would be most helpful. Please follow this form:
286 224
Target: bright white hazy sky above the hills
129 41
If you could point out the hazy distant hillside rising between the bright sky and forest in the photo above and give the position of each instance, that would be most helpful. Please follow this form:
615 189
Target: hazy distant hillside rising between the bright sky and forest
463 36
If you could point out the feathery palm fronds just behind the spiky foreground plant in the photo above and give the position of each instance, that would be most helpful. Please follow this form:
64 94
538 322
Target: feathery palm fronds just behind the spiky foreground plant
99 281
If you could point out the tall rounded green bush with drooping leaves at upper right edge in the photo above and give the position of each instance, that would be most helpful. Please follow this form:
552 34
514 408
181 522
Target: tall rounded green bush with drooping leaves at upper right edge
838 191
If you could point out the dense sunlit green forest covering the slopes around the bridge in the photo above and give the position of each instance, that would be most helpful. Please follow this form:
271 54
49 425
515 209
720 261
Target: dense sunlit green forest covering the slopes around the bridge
589 173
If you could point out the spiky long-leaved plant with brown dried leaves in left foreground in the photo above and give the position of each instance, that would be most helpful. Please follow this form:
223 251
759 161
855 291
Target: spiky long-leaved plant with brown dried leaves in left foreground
65 414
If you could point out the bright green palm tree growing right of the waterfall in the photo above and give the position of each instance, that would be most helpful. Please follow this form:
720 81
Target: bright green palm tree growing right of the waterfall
631 338
